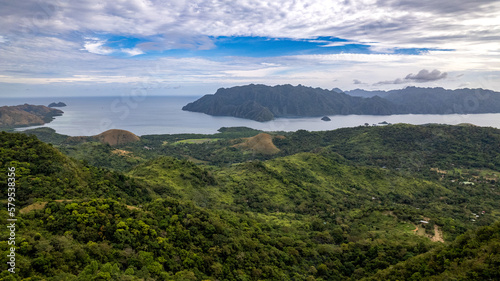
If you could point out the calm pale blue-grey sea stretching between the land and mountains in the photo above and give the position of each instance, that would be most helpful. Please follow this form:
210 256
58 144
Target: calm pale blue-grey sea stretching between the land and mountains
85 116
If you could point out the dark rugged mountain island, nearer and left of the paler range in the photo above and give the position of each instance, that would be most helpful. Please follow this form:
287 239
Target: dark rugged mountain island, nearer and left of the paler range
264 103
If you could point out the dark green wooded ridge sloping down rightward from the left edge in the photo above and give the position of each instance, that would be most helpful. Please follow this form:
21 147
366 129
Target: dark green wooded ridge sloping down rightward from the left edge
44 173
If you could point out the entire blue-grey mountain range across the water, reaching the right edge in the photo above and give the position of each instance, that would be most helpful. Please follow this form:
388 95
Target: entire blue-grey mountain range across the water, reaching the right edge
264 103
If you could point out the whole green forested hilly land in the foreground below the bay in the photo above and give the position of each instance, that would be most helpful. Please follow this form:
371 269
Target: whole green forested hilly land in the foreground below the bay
398 202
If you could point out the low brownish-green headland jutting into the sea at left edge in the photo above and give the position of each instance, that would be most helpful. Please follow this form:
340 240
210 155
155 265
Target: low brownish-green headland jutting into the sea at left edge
26 115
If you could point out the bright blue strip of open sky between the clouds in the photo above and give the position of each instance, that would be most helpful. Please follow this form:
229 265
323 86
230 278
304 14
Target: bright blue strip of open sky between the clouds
246 46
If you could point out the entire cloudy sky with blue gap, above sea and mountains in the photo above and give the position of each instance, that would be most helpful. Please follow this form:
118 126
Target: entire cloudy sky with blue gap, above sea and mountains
144 47
